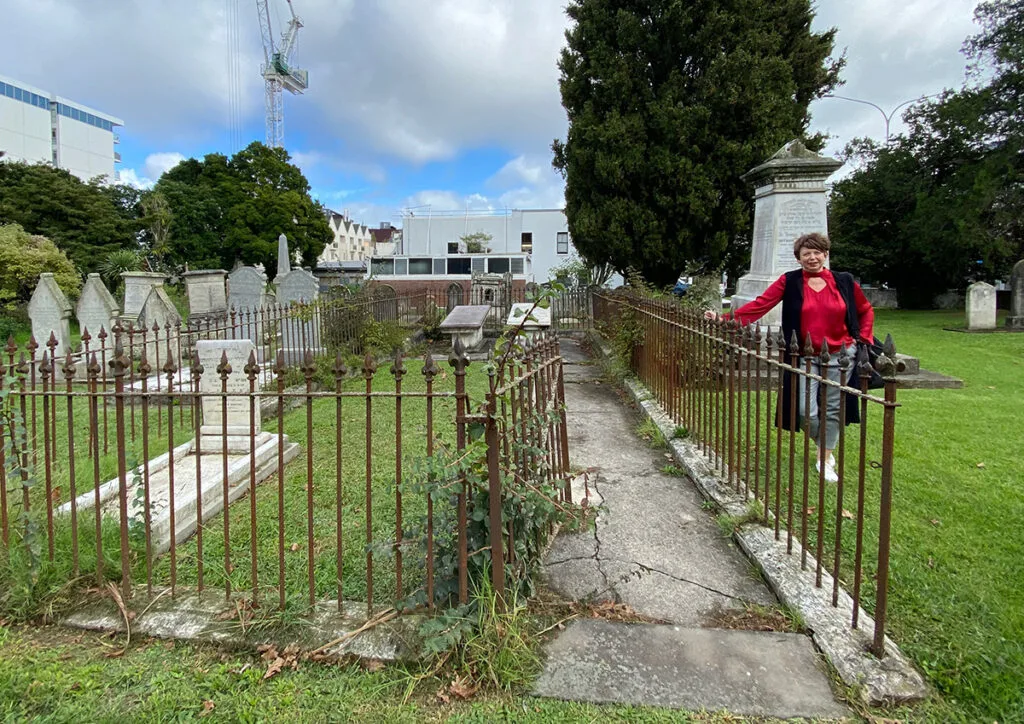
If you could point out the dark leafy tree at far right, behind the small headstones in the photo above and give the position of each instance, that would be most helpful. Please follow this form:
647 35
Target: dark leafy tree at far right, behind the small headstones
943 205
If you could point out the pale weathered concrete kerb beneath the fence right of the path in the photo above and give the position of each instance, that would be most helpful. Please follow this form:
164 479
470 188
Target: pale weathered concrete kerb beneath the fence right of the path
890 680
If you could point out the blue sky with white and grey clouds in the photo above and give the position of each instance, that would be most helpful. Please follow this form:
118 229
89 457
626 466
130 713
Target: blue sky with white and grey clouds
445 105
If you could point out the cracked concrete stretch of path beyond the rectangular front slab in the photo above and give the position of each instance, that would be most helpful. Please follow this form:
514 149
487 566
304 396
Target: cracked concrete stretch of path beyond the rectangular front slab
653 547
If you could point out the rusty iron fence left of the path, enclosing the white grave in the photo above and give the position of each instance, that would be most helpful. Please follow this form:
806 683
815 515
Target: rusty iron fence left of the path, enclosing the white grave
119 462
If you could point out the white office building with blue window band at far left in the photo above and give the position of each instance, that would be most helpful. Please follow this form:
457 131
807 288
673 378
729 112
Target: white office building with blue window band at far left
37 126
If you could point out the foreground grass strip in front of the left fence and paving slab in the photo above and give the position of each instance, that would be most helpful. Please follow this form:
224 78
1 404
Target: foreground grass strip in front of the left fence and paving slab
50 674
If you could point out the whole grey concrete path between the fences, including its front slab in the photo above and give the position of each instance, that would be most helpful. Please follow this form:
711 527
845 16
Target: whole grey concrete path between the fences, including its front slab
657 550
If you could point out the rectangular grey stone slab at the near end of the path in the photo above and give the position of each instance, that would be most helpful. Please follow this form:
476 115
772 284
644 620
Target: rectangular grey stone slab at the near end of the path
748 673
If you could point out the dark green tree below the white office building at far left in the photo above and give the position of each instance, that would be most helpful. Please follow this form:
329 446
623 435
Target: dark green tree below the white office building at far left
88 222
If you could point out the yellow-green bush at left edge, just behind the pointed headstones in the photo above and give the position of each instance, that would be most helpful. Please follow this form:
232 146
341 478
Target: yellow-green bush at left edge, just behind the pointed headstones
24 258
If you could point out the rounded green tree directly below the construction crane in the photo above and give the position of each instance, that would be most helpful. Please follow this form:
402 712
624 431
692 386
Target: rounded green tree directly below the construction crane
222 210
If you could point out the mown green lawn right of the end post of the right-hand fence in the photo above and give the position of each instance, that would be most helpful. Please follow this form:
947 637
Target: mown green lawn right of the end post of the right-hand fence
957 599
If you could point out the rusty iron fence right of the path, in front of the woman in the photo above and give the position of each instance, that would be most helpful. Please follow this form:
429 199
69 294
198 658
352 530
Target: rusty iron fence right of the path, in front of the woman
720 384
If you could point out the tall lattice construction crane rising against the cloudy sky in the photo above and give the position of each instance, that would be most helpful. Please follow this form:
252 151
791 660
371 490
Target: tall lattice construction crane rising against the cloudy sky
278 72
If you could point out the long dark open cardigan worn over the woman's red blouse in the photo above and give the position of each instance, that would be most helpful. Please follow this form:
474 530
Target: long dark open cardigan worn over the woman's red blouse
793 305
